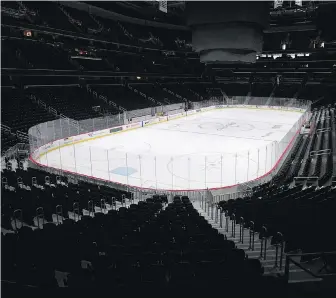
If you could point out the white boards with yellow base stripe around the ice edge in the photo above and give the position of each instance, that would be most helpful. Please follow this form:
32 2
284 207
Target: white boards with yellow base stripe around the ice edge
38 153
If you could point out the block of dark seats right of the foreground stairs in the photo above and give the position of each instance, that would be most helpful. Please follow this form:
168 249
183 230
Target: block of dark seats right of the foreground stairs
297 214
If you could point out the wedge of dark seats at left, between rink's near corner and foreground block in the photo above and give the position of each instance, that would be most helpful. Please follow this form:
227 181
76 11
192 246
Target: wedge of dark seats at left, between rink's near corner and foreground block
31 189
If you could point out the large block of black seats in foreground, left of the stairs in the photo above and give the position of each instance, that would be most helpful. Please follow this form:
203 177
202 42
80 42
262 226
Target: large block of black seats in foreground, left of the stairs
148 247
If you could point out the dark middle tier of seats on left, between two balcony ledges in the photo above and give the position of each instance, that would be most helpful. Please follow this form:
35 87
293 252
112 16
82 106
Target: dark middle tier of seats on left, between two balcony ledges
67 54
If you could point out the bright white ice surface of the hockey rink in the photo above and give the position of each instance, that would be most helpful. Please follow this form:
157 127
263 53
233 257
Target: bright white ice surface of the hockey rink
212 149
